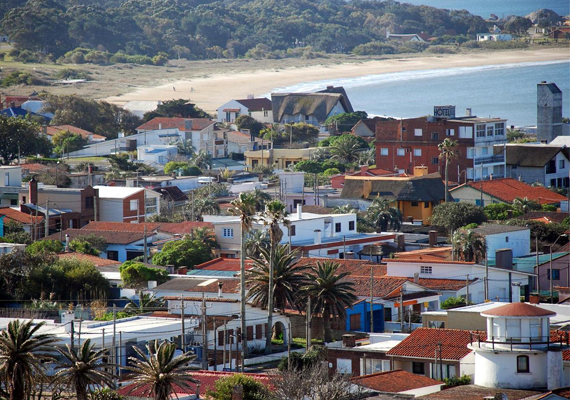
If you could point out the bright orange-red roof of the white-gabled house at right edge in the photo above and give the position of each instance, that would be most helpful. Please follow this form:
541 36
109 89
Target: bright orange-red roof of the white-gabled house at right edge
509 189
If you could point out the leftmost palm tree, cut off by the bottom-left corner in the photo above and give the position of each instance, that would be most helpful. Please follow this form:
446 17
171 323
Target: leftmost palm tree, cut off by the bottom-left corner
22 351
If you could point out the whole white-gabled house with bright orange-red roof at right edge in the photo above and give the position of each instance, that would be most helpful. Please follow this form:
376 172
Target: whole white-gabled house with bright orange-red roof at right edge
503 191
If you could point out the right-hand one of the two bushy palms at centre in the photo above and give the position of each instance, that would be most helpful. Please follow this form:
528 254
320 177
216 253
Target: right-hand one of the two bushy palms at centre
330 293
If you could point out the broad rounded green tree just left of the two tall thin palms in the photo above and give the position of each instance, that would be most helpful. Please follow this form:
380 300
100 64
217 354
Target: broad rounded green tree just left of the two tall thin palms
184 252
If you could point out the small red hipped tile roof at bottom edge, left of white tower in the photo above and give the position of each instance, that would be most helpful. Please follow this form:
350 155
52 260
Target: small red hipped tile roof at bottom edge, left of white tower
395 381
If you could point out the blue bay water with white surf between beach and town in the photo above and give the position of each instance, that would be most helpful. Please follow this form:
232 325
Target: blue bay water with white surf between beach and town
501 91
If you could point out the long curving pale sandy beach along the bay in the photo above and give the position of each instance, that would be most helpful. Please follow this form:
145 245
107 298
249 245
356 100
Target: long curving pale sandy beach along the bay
210 92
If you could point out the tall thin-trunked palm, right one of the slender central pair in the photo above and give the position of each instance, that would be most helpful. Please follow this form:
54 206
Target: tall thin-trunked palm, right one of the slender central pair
275 214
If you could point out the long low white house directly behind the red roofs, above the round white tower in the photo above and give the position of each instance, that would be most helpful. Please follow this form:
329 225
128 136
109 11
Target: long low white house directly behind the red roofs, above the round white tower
500 280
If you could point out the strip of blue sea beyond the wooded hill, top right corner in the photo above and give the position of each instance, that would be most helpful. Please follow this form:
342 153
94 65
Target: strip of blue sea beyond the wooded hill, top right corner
502 8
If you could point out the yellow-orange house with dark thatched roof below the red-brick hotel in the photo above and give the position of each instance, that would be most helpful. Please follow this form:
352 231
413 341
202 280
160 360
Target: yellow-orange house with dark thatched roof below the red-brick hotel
414 196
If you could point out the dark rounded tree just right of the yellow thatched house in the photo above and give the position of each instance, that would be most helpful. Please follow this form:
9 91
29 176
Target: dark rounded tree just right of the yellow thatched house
452 216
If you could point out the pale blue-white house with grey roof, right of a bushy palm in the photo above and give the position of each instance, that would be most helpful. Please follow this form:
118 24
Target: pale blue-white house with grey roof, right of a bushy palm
499 237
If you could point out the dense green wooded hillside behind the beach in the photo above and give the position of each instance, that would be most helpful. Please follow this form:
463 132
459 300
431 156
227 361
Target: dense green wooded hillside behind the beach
151 31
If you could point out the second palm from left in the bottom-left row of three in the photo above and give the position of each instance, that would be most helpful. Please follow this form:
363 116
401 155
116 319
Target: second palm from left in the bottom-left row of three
81 368
